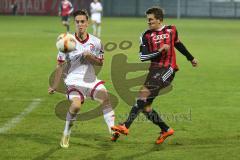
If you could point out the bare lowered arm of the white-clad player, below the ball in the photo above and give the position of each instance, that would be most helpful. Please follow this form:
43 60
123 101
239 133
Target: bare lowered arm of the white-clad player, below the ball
57 79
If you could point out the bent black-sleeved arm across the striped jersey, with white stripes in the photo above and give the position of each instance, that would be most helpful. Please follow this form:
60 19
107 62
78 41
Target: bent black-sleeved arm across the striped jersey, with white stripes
145 54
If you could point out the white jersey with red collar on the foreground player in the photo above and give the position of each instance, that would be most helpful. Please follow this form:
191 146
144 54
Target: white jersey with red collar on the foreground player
79 68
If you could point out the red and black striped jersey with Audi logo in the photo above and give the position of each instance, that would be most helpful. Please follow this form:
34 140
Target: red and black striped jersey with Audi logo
152 40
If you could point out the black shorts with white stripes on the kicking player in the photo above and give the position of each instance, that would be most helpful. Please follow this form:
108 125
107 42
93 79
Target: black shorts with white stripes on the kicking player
157 79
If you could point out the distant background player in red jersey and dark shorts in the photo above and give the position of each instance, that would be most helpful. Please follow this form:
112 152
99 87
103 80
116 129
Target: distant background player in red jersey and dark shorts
65 9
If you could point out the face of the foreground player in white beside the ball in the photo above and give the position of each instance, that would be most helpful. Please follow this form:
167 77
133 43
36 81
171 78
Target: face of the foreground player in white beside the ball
81 23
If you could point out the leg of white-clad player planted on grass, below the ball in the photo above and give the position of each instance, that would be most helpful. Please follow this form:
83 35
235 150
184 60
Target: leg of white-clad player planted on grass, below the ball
70 118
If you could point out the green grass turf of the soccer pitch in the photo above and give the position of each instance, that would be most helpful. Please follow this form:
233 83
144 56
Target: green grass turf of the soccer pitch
203 107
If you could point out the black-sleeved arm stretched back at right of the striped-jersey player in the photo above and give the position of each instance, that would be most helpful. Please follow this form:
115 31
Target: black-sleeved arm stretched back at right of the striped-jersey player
182 49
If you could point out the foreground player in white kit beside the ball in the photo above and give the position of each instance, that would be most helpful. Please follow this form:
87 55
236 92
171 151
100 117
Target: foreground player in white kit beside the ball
81 80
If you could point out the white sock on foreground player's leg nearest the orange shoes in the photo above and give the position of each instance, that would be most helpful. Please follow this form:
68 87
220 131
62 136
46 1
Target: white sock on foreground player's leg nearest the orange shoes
109 118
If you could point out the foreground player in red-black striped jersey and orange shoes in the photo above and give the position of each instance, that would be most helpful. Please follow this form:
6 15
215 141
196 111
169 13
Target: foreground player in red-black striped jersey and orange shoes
157 45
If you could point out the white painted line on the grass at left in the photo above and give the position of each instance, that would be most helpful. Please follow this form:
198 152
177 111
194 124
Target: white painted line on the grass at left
14 121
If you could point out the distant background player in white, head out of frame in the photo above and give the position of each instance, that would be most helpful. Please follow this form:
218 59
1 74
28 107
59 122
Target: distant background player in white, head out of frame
96 13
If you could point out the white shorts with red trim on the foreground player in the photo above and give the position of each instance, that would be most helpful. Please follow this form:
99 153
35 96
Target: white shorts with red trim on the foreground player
85 90
